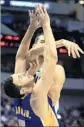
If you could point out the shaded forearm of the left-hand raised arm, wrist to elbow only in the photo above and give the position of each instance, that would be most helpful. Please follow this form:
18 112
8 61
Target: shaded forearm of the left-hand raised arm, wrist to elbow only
25 43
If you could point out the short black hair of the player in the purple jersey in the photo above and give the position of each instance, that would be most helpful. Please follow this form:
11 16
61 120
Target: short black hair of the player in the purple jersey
11 89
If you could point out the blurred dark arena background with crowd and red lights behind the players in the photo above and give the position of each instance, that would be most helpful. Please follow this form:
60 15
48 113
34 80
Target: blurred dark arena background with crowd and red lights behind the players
67 21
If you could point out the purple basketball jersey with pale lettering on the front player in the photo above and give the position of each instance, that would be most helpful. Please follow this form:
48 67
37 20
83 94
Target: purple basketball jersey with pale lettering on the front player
25 114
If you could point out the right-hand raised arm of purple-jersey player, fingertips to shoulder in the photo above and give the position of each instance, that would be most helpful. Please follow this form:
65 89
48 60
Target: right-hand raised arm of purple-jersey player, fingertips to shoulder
50 54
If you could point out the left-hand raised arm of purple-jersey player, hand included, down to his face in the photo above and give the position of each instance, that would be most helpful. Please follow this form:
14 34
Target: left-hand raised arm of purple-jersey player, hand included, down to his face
20 63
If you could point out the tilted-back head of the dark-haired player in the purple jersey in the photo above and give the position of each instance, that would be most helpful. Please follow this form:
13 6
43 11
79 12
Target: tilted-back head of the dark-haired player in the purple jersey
14 83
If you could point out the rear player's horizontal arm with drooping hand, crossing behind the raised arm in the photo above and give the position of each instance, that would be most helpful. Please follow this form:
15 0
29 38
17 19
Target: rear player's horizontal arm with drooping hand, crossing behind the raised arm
72 48
